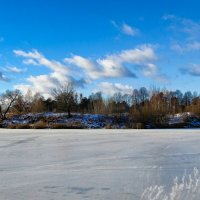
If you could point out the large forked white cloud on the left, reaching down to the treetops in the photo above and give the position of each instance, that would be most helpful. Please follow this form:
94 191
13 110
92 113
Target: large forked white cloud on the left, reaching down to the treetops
44 84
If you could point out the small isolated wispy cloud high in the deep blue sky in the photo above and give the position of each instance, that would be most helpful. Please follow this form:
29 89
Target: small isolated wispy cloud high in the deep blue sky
126 28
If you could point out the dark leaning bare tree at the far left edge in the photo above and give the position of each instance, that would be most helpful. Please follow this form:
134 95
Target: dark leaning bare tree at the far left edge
7 102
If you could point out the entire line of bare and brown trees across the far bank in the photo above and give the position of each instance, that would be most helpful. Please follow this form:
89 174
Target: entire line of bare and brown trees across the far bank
143 105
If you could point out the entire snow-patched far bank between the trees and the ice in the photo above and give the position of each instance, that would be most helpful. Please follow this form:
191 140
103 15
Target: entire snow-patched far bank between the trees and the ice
96 121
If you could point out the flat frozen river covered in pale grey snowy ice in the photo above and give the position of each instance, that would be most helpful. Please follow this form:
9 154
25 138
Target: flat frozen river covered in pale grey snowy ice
99 164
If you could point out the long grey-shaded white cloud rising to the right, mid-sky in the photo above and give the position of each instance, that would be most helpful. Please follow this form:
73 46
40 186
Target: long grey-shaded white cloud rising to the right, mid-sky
114 65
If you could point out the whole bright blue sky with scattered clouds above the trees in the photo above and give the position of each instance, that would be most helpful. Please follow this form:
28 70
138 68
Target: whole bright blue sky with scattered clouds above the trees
104 45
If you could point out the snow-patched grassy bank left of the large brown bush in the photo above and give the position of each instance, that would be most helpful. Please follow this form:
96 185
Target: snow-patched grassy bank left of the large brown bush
77 120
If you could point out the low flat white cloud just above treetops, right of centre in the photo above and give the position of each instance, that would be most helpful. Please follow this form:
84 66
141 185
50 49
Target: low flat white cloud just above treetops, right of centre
112 88
